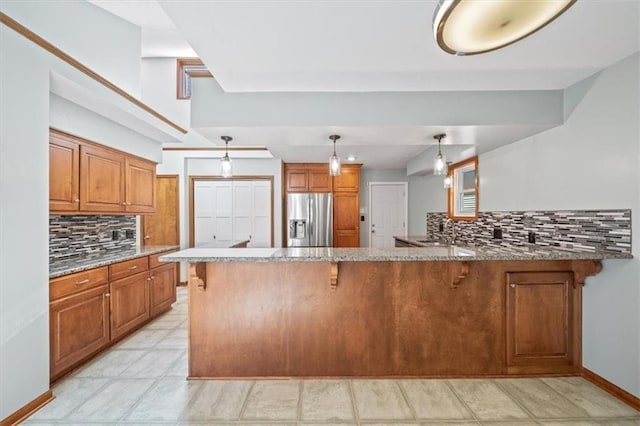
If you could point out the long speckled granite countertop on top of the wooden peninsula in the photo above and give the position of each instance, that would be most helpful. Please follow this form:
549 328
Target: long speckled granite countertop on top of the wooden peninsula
401 254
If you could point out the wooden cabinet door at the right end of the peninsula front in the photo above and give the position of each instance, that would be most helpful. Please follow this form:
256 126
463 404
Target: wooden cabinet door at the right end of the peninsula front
543 323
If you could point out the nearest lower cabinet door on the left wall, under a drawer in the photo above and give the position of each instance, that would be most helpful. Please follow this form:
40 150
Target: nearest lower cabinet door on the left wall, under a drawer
78 327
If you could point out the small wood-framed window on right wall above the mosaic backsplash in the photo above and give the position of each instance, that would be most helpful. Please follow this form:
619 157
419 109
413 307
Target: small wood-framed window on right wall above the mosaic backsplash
463 193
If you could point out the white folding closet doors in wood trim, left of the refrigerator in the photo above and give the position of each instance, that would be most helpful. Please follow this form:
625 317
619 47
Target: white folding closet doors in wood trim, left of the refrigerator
227 212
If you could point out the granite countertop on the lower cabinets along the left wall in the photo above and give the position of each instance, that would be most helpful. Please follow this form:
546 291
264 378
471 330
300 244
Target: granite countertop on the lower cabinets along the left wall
77 264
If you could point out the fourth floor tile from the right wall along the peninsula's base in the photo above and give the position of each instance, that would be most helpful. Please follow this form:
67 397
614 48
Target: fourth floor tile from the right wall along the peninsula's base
432 399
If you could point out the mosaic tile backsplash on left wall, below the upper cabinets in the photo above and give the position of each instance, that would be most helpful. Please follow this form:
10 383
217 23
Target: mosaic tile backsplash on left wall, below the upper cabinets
79 236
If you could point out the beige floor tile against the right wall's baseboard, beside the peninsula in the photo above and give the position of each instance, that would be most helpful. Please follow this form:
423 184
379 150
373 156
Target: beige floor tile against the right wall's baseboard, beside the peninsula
590 398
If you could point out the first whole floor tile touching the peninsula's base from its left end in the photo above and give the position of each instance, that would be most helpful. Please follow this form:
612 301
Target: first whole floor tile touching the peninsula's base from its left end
218 400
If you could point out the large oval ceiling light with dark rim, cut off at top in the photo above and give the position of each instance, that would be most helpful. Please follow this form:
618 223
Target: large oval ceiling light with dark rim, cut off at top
469 27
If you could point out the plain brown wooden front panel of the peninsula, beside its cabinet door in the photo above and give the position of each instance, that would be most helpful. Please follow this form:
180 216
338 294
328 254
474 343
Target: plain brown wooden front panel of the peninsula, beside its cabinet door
283 319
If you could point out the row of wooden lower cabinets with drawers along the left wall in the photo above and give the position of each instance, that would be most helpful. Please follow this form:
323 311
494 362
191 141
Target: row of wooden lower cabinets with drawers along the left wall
90 309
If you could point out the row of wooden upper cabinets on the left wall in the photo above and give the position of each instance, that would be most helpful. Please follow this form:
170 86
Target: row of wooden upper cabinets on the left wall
87 178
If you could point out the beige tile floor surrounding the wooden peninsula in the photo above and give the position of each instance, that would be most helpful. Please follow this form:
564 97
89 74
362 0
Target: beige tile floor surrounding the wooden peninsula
141 381
